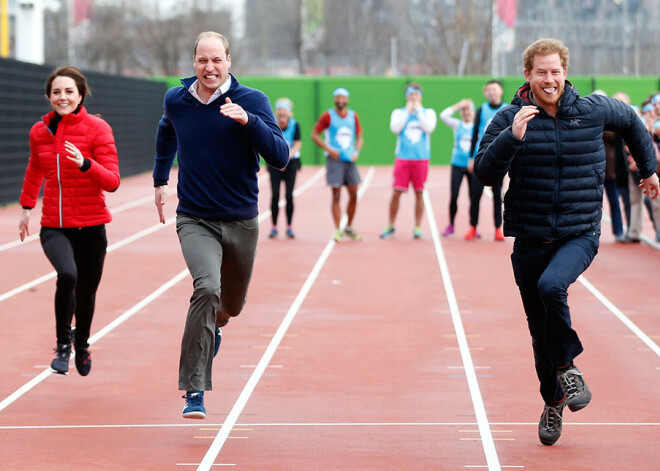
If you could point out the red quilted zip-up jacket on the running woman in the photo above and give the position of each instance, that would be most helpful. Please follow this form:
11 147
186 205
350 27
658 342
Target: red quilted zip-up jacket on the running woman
72 197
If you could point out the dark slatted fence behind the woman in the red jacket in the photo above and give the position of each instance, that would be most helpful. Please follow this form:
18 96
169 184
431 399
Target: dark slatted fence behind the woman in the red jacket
132 107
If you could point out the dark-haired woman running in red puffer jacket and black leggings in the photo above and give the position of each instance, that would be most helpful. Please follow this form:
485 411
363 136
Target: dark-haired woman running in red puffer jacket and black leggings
75 154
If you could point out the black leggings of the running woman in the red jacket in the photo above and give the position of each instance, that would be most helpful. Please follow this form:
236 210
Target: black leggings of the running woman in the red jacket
77 254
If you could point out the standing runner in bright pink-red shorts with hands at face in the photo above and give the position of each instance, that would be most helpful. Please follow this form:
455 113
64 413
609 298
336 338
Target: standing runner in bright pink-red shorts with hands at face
413 125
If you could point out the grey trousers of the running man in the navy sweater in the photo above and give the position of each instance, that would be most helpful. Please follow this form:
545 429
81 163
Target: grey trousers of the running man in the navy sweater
220 257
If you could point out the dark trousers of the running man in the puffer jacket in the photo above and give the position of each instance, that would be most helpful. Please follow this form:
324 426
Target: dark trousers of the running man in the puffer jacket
543 273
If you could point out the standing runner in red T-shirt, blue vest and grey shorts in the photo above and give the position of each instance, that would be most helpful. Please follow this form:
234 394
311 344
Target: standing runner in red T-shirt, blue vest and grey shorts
342 144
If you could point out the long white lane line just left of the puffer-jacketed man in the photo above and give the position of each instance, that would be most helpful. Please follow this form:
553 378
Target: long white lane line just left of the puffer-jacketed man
473 384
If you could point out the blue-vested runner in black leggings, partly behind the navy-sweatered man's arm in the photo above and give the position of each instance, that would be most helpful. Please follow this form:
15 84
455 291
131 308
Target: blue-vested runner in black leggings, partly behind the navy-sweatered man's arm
291 131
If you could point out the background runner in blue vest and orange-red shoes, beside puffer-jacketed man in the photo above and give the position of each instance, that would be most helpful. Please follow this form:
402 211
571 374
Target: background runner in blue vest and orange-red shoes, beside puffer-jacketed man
493 92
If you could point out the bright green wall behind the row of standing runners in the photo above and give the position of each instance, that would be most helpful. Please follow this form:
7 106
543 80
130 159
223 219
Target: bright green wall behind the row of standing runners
374 98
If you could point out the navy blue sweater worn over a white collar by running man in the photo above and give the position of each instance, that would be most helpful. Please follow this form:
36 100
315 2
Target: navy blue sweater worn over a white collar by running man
218 157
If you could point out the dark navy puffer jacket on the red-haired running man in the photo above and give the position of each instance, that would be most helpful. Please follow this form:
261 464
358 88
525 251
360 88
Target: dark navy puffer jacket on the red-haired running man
557 171
